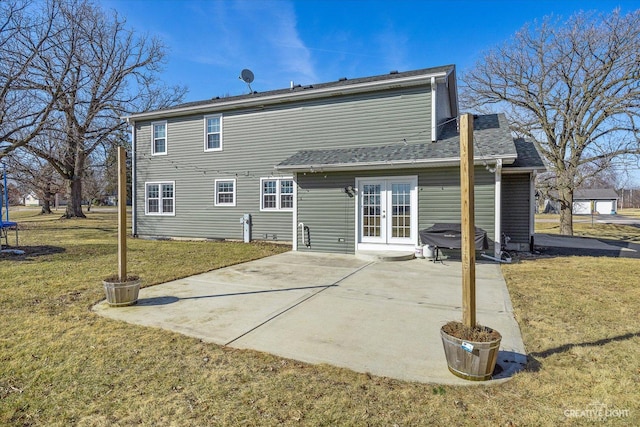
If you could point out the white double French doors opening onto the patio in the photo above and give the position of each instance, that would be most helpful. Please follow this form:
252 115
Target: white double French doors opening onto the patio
387 213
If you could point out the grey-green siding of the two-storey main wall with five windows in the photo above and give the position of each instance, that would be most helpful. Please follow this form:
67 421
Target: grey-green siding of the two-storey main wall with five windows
253 142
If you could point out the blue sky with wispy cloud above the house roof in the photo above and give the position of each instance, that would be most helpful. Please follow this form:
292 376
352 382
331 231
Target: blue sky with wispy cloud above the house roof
312 41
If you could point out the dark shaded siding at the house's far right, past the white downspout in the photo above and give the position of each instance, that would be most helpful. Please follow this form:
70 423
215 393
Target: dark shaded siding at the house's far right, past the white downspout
516 193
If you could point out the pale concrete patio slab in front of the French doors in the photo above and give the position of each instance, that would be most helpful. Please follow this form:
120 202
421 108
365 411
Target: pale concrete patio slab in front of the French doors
383 318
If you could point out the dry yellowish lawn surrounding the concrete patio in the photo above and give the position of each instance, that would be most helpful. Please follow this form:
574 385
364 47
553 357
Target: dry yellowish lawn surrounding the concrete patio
60 364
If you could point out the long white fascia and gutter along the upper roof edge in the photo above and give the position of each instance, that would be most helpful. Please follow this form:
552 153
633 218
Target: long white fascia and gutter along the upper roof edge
295 95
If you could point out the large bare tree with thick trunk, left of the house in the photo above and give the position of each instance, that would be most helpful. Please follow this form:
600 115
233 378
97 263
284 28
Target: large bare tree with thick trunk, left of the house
111 72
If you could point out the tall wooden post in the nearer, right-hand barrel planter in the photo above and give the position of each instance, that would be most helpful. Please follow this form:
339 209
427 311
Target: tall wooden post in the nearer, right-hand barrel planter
468 221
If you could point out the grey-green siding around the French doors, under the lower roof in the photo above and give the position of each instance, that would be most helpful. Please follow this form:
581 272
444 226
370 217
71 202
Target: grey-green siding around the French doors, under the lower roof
330 213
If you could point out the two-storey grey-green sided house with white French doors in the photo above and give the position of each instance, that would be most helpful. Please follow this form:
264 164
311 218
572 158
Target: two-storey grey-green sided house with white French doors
345 166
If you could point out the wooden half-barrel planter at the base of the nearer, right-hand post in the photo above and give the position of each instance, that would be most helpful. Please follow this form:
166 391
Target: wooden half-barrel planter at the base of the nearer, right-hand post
471 360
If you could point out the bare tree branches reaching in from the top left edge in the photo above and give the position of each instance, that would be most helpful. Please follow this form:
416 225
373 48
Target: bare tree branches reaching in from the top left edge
24 104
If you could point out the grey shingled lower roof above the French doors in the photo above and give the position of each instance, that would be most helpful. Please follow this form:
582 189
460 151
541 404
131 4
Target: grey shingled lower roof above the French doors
492 139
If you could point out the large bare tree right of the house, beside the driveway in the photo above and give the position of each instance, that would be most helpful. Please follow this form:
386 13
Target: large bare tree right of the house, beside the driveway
571 87
